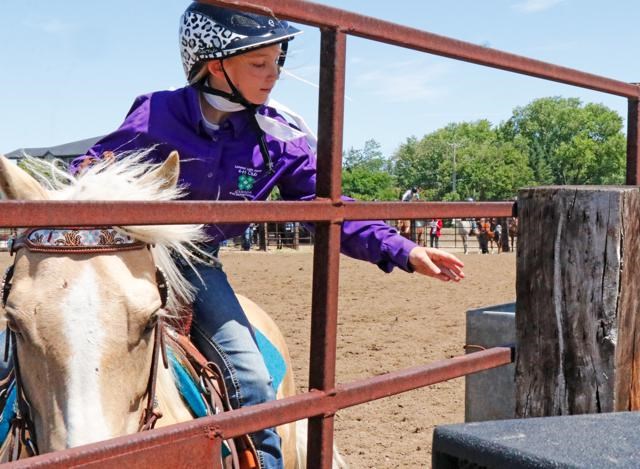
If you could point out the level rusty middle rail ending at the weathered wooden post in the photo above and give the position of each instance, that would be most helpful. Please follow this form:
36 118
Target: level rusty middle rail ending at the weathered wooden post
14 214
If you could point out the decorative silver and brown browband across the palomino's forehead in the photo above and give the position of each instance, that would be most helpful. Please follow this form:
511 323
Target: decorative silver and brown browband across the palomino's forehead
75 240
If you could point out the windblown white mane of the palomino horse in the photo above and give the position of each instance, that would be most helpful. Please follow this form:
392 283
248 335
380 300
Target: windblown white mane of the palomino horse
126 178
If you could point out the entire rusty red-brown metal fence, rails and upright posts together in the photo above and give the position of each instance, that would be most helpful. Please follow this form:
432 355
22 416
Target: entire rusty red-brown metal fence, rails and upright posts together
201 438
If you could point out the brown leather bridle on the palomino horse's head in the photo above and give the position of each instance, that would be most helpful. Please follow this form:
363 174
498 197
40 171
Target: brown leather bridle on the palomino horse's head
89 241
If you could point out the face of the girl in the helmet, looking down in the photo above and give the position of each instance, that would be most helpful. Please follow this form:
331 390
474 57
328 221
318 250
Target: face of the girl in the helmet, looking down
254 73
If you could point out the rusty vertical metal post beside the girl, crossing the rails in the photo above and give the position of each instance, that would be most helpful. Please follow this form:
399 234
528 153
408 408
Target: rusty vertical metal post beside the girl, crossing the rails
324 303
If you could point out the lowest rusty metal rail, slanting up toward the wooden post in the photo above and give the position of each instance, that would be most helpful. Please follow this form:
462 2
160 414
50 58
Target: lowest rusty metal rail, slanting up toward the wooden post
161 447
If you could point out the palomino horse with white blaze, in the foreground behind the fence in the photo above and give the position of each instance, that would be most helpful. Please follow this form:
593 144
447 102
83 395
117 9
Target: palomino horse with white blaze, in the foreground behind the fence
85 323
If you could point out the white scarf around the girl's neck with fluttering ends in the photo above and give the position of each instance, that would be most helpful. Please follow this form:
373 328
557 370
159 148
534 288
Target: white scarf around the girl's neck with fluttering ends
269 125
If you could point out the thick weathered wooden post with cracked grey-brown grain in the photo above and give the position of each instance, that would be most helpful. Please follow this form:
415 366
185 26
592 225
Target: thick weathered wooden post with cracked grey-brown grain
578 300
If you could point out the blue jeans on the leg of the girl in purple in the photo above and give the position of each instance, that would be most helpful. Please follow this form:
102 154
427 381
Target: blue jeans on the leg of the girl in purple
223 334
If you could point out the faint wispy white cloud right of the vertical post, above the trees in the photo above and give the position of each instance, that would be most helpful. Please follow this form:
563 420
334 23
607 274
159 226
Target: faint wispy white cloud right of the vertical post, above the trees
403 81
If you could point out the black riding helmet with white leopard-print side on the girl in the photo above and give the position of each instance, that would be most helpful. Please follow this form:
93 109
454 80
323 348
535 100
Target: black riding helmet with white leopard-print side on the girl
212 32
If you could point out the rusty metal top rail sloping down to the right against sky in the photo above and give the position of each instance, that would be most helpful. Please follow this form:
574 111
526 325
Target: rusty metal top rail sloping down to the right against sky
375 29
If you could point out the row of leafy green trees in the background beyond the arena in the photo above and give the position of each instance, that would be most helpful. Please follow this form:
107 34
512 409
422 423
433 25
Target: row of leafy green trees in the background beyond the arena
549 141
